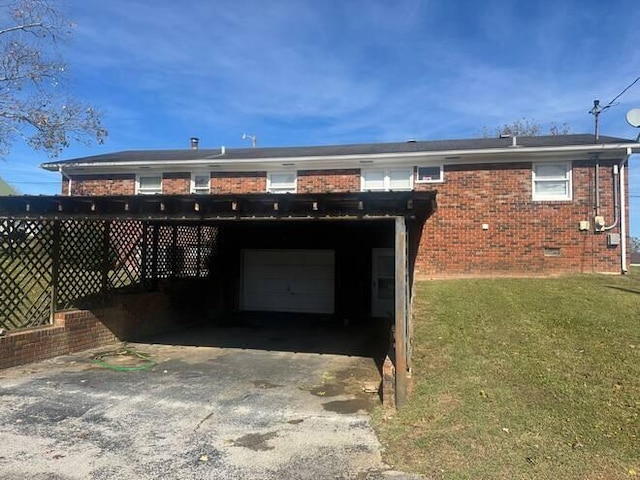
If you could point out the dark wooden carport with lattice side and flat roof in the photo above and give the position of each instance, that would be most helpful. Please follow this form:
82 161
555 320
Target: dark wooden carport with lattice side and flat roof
340 258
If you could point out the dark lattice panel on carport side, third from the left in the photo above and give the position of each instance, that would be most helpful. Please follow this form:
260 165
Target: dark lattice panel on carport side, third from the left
125 254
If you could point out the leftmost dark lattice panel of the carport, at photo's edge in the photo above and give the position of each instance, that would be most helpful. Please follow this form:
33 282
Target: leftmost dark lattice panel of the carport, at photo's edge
25 273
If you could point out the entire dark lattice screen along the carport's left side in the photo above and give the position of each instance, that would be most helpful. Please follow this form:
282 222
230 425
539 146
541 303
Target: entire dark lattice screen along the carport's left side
85 259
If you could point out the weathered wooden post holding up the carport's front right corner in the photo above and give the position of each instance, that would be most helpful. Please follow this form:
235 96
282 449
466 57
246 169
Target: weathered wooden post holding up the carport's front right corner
401 313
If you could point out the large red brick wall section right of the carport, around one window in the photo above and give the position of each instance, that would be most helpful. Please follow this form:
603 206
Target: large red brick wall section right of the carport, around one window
500 195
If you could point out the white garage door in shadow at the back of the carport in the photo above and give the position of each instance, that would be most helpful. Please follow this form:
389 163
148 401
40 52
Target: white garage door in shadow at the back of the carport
288 281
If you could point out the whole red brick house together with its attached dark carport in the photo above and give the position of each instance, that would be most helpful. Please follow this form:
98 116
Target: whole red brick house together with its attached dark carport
339 232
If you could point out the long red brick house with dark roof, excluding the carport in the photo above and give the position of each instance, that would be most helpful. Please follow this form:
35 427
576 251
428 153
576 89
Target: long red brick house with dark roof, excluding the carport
506 206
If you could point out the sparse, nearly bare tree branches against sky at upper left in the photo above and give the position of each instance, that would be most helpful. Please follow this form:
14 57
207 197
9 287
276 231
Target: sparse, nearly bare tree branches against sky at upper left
33 103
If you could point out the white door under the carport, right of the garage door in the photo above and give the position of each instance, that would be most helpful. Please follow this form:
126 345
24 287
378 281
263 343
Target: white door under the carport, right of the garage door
383 286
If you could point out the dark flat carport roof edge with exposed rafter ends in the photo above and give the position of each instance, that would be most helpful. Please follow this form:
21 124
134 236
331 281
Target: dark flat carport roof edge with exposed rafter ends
216 207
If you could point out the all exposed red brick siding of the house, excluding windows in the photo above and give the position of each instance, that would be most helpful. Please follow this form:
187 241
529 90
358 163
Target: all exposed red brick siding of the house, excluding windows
453 241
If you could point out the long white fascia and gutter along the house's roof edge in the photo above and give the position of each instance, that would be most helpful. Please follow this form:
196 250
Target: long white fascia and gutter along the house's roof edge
489 155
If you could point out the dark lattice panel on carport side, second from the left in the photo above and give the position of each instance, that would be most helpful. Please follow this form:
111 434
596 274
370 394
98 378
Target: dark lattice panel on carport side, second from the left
81 254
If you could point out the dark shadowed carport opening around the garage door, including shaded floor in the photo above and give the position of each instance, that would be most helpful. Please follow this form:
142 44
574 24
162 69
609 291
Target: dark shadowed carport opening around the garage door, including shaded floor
304 286
